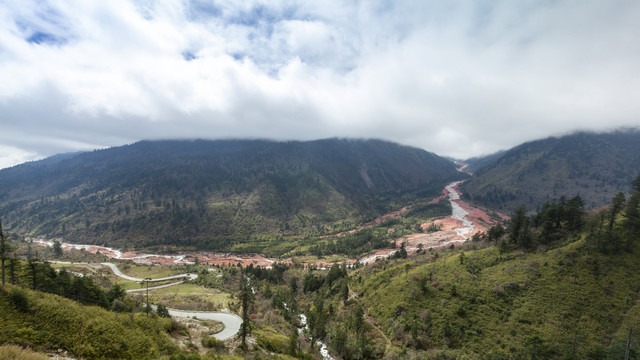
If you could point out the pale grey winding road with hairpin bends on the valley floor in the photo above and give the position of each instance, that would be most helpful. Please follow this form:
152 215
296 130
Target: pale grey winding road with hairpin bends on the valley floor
230 321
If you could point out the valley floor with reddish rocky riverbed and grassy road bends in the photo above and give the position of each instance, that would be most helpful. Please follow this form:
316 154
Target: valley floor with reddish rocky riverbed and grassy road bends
186 301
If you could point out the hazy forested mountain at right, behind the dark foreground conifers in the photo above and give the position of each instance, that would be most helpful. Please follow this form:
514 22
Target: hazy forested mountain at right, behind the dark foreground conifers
594 166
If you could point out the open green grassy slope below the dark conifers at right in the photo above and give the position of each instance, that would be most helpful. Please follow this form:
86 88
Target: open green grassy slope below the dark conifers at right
571 304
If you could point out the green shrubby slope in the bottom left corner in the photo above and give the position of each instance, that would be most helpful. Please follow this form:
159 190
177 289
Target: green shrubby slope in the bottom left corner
52 322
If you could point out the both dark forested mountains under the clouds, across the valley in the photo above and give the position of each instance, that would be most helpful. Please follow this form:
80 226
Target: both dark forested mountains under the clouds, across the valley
219 195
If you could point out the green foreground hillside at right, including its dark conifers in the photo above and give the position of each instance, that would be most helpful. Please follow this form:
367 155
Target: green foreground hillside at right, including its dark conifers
561 284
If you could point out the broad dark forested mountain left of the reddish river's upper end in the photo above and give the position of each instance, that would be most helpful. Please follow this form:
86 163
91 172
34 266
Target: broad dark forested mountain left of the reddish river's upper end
212 194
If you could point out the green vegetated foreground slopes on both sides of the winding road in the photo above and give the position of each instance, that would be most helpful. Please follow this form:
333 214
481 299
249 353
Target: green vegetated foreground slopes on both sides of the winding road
561 284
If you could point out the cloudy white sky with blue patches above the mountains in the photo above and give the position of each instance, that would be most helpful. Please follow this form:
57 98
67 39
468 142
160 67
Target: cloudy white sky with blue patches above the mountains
457 78
